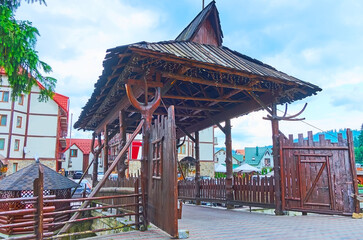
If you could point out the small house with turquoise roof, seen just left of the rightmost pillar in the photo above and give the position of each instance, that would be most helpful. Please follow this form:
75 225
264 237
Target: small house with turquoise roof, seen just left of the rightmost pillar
259 157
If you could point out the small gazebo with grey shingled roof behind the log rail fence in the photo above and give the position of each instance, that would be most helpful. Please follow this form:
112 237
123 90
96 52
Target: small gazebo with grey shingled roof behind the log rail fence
20 185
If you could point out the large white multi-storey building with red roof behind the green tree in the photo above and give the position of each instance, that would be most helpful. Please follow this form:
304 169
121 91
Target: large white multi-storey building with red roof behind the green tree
32 129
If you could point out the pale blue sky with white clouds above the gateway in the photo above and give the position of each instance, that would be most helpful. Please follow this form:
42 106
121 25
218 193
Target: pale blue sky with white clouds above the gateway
316 41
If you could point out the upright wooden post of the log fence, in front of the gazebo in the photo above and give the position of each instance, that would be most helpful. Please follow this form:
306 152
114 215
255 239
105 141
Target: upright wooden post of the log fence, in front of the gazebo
38 188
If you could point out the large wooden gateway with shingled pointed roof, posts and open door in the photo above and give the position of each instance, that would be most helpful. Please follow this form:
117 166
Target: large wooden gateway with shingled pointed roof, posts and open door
176 88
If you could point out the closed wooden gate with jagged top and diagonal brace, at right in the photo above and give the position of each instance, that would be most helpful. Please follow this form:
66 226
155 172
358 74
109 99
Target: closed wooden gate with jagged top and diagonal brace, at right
318 176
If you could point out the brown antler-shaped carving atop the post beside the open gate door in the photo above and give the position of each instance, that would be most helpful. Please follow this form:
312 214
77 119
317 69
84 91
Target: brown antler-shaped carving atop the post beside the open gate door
146 109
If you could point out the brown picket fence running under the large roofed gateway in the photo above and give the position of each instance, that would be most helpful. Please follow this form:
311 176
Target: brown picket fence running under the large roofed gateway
248 190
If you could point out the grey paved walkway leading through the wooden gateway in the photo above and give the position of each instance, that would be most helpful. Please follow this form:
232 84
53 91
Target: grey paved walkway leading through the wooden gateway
215 223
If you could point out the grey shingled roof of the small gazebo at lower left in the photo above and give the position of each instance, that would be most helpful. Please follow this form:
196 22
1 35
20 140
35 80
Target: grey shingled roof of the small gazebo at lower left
23 179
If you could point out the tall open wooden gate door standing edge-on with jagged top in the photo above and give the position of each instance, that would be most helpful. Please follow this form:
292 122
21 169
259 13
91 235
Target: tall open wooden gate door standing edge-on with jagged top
162 175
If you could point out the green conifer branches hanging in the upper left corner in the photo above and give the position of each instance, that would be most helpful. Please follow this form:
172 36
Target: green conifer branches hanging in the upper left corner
18 56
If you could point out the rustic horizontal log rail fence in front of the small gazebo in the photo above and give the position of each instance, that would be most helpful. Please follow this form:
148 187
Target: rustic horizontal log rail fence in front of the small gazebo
42 219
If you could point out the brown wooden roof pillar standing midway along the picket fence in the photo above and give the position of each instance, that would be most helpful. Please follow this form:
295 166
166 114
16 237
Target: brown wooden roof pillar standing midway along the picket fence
229 167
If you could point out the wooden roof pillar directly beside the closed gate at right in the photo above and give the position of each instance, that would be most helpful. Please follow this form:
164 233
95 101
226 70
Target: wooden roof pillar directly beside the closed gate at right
276 156
